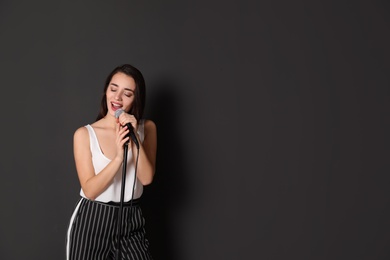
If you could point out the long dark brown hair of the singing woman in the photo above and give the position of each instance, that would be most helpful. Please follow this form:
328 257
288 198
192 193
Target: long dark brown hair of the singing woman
137 109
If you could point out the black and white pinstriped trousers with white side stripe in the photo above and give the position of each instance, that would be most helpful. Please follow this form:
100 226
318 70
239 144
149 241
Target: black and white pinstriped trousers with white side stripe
92 232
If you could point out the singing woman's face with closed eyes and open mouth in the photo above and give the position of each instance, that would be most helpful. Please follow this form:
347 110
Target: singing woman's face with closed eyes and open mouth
120 93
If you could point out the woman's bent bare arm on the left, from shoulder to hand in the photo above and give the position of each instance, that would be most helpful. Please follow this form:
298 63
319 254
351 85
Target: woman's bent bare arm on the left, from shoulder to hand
93 185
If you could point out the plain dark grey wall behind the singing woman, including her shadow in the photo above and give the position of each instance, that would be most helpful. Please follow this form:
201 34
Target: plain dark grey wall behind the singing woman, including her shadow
272 116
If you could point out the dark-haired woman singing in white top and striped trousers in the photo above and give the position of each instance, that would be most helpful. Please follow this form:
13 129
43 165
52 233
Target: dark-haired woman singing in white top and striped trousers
99 152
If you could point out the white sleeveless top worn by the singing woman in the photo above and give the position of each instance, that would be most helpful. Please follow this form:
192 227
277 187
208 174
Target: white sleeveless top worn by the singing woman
99 161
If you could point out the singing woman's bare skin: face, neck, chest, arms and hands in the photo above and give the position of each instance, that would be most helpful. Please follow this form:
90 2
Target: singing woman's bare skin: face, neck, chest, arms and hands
112 136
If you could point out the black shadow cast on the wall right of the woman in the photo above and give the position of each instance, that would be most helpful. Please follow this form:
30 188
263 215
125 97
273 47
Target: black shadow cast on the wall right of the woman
169 190
